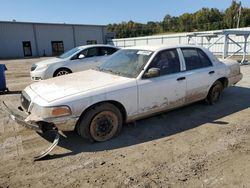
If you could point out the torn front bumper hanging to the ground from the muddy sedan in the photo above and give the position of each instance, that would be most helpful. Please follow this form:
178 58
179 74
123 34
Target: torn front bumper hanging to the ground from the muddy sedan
40 127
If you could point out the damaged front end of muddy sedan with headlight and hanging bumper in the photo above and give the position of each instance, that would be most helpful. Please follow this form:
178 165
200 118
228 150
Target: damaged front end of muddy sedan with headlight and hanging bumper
41 118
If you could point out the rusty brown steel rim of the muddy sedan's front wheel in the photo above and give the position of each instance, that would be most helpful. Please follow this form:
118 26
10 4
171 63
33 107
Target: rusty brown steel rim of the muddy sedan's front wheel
104 126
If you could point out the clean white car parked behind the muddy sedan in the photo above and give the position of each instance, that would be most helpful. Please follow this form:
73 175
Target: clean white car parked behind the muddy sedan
77 59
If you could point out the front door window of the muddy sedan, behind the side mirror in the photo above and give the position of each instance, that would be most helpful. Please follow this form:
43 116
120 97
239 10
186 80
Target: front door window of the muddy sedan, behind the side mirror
167 61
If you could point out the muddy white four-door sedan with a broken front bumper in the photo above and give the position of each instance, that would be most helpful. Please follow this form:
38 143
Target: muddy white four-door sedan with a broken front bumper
134 83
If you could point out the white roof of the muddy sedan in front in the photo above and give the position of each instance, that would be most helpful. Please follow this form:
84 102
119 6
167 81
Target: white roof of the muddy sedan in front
160 47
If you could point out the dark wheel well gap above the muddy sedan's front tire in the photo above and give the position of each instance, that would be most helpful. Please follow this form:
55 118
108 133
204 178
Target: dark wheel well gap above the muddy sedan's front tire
115 103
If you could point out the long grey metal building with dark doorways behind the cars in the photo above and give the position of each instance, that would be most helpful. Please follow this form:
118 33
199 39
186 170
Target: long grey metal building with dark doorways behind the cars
24 39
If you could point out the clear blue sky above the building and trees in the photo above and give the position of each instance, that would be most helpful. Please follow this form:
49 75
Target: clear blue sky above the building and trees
102 11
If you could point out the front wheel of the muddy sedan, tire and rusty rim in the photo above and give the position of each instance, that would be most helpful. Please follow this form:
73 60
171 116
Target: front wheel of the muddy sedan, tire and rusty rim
100 123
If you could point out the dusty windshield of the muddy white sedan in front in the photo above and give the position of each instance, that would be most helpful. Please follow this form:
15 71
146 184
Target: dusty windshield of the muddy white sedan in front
126 62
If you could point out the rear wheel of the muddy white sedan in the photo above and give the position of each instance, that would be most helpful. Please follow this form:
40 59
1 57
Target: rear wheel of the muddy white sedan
214 93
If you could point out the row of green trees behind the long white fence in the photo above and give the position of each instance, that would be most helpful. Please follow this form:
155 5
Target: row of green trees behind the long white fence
202 20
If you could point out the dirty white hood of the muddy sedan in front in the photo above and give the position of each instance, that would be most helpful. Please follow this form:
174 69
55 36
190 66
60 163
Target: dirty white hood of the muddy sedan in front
76 83
